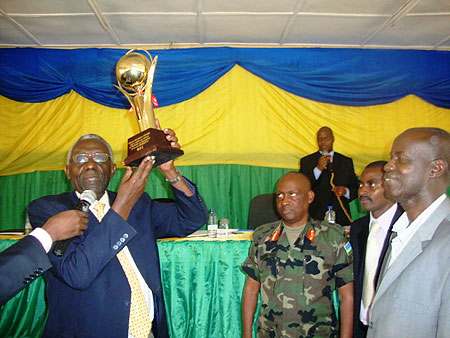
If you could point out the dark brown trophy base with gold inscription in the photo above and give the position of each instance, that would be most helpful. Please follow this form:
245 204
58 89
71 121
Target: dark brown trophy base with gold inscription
150 142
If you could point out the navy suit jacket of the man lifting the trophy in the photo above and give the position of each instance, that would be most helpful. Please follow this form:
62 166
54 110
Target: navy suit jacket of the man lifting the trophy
88 293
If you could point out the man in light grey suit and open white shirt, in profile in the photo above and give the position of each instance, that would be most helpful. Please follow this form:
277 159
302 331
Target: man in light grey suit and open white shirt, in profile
412 298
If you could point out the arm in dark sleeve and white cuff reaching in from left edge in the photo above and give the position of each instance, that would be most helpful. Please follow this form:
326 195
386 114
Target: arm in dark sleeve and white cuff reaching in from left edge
27 259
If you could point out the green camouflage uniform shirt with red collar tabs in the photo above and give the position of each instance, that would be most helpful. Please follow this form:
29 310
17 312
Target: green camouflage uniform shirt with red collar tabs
297 283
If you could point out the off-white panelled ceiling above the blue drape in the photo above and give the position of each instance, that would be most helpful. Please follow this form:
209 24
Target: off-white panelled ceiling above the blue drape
418 24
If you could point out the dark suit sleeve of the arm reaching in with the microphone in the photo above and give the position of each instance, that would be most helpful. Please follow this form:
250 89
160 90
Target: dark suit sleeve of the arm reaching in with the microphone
21 264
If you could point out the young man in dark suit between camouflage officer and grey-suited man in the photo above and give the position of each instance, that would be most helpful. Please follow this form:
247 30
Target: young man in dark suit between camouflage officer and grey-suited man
384 212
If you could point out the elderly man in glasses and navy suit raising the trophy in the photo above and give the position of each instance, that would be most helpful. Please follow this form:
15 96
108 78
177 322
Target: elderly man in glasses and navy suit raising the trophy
89 288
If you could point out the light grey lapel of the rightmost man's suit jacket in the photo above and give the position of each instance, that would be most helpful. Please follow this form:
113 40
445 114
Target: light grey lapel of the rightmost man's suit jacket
414 247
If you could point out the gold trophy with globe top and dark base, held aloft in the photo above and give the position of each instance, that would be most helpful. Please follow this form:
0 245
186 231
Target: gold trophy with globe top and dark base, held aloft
134 73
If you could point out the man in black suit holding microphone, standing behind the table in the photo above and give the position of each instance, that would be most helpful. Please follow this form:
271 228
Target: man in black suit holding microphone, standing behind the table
332 177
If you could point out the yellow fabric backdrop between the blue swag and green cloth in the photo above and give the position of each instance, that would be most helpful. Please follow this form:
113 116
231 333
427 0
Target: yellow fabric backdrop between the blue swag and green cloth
241 119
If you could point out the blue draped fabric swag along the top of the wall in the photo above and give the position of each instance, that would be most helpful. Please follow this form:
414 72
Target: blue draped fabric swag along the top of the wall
355 77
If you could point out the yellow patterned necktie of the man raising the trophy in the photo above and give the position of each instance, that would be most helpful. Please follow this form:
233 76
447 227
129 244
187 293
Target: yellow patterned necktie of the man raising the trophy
139 324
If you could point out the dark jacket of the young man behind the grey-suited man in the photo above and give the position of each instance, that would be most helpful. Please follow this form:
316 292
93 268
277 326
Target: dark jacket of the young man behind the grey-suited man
359 232
